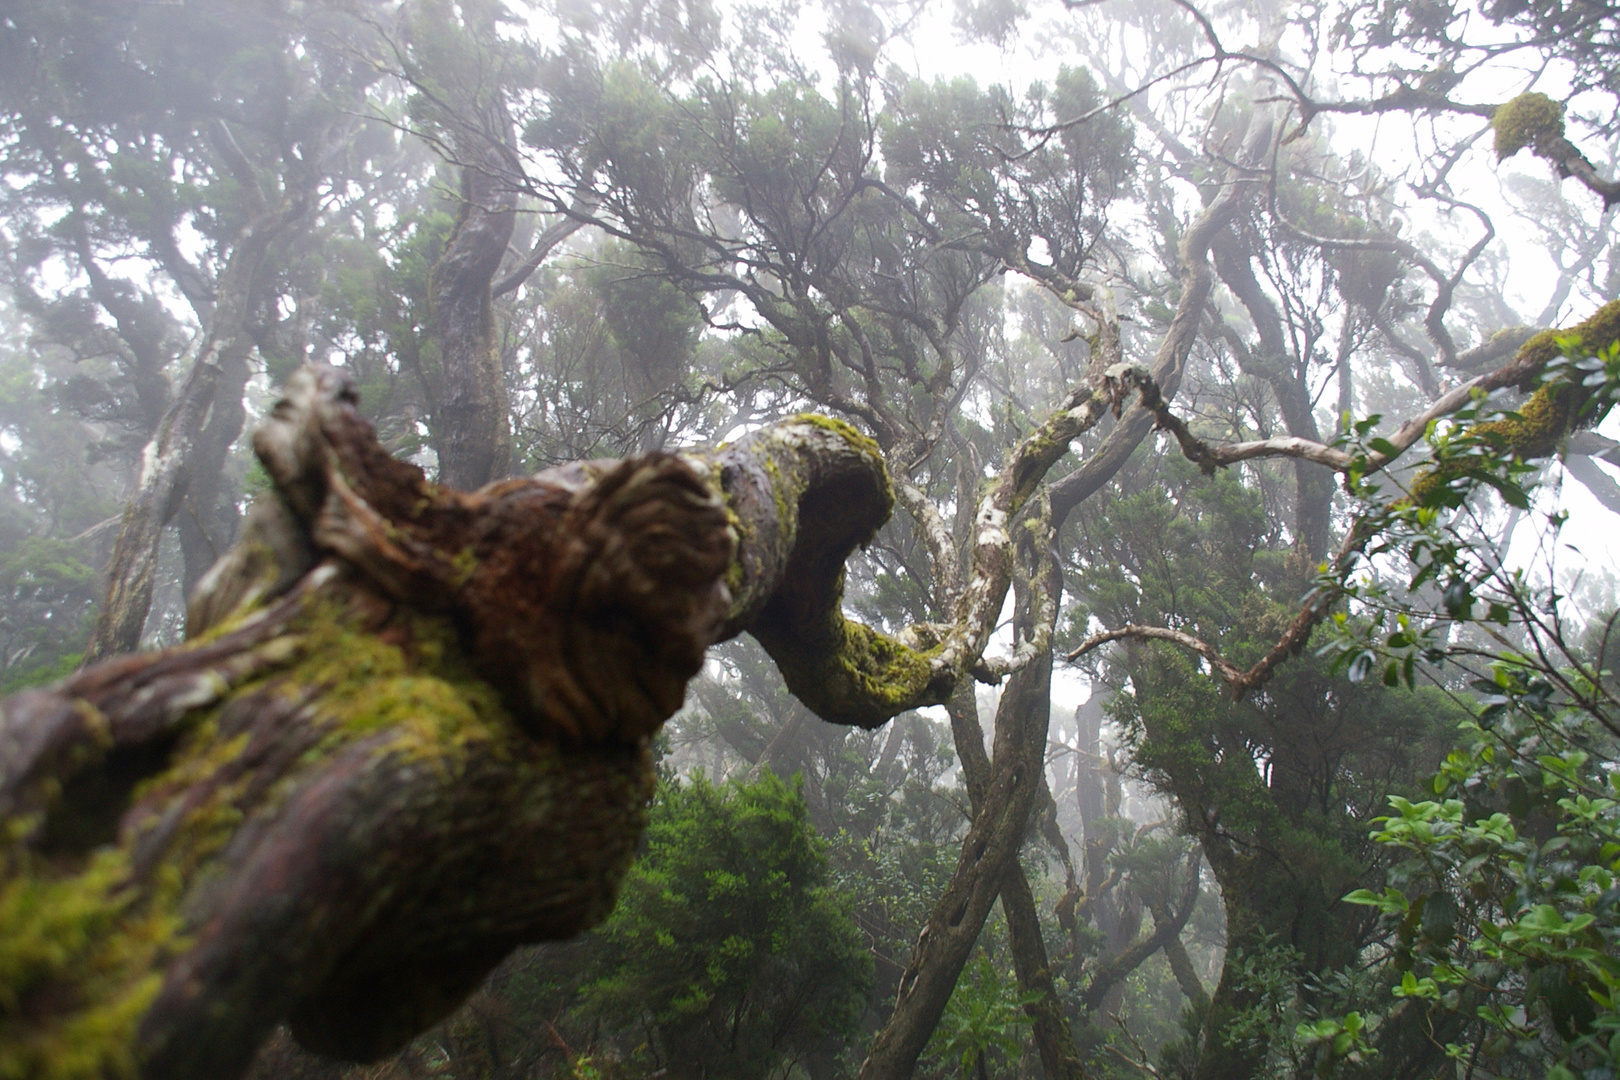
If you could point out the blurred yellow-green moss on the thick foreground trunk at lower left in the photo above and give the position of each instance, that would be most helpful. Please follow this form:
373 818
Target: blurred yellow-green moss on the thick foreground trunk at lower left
83 933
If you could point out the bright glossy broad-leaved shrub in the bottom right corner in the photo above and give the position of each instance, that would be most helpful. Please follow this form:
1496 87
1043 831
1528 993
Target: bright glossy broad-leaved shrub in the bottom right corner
1504 908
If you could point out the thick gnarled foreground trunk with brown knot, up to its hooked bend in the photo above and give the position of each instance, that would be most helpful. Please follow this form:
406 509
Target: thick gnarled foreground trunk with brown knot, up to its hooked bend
407 736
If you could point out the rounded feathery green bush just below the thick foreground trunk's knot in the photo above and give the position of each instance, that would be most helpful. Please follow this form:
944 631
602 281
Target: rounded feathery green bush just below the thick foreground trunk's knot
728 953
